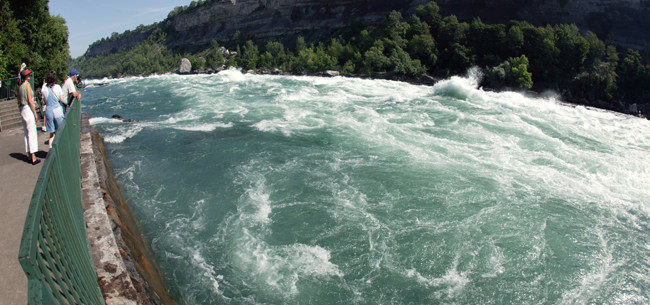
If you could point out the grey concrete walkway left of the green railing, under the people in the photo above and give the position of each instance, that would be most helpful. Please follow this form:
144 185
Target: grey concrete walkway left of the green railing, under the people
17 181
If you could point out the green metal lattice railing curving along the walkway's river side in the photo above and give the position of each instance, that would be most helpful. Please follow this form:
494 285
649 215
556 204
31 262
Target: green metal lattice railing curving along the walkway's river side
54 251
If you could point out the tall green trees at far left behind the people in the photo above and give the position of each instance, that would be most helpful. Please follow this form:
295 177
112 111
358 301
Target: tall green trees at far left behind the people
29 34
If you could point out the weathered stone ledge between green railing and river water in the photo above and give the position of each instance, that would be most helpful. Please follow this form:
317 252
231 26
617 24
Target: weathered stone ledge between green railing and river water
126 271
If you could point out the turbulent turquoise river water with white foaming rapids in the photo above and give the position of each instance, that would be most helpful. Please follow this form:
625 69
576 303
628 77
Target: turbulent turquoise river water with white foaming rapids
303 190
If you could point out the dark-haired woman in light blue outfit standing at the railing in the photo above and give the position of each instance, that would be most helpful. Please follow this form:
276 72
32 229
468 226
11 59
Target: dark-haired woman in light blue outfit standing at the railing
54 113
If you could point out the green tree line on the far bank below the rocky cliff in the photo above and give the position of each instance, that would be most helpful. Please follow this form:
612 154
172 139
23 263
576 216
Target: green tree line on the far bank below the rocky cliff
580 67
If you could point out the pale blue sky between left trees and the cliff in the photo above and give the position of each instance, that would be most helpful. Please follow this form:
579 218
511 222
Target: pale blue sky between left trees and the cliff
89 21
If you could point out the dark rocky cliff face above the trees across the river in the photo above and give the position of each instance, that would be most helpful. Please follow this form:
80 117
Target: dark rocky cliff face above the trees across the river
624 22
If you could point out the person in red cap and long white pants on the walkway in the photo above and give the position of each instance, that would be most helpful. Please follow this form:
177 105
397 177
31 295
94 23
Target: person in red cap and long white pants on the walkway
28 113
